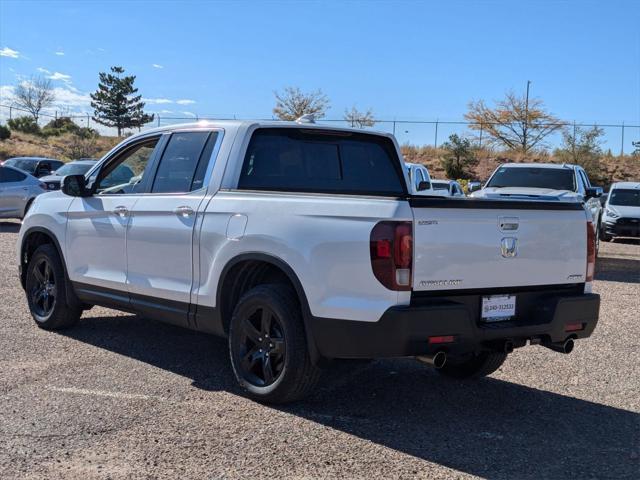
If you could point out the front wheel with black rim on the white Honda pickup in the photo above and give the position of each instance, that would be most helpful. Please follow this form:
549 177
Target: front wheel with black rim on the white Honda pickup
46 288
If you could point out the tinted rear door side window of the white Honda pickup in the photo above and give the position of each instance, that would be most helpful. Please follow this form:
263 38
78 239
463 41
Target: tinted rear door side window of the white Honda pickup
183 163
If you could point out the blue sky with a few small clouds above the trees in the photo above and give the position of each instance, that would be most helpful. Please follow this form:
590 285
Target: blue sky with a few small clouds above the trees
410 60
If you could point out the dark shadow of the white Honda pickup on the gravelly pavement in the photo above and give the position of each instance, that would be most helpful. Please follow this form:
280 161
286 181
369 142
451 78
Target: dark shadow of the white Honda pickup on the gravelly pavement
490 428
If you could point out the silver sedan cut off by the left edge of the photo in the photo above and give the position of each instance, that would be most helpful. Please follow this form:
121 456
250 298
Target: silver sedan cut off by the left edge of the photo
18 189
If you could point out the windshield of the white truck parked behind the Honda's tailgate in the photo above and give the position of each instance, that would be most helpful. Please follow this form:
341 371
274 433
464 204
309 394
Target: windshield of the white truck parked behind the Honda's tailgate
533 177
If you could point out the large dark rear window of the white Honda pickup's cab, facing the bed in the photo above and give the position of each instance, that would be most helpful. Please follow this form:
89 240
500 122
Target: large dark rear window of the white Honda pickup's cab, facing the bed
305 160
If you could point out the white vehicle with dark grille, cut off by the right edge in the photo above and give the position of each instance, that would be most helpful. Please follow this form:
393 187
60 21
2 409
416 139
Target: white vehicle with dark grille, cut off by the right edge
621 216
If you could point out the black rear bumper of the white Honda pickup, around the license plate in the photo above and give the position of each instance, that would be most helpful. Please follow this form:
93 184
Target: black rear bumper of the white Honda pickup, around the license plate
404 330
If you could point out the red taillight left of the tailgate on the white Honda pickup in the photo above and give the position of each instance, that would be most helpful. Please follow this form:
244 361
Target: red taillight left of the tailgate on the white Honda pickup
391 248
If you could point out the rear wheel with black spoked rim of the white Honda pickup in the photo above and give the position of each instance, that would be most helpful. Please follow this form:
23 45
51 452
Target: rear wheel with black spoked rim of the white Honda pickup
268 346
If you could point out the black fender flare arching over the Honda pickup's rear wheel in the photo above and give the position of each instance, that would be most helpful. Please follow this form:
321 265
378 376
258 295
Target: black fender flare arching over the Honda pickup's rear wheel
293 278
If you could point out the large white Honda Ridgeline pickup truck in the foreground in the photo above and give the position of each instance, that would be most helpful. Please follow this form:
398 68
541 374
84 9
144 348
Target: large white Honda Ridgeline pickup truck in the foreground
301 243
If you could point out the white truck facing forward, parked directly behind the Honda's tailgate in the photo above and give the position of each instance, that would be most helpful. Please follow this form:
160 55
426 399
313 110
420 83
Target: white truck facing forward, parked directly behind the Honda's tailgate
545 181
